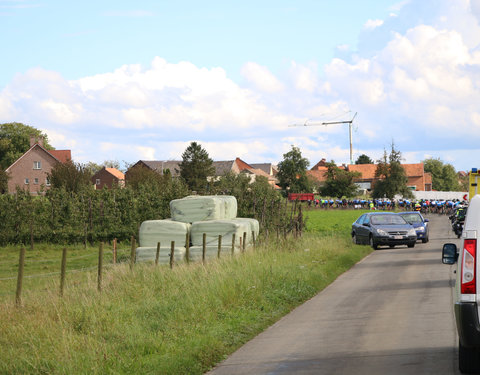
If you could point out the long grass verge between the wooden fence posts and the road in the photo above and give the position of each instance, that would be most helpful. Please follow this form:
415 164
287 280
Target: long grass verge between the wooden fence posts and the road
154 320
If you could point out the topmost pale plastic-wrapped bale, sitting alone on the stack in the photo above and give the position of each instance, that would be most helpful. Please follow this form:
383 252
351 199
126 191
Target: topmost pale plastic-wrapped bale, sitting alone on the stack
201 208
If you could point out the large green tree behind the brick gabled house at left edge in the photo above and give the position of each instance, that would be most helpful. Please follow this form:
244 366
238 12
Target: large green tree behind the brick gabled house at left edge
15 141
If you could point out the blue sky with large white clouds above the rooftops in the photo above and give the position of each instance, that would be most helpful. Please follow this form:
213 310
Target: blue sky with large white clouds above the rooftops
128 81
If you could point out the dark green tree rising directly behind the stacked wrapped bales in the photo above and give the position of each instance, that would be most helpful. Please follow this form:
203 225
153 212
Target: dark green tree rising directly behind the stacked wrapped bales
196 167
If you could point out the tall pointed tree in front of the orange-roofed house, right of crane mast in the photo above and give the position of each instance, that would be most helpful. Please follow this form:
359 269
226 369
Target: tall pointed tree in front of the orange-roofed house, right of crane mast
391 175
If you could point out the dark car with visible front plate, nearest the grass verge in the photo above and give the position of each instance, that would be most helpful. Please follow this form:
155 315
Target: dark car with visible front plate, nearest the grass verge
383 228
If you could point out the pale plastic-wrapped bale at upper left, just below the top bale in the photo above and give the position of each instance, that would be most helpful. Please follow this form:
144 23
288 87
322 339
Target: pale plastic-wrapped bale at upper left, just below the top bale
164 231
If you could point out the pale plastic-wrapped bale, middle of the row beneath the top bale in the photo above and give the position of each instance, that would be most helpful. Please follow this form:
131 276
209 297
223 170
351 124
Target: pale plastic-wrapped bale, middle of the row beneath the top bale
214 228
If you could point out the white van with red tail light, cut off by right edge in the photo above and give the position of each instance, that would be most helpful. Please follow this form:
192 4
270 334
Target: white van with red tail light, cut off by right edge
467 287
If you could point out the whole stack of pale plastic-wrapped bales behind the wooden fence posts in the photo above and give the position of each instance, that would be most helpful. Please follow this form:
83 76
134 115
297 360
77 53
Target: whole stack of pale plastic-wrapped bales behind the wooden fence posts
196 215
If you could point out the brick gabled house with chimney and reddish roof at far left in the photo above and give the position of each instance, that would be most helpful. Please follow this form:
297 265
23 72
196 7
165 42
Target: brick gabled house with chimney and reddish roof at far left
30 171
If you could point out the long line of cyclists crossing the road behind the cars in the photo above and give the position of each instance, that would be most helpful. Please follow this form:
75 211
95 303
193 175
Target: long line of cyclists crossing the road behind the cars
440 206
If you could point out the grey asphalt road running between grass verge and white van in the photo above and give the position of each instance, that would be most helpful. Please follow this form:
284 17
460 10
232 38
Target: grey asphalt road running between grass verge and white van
390 314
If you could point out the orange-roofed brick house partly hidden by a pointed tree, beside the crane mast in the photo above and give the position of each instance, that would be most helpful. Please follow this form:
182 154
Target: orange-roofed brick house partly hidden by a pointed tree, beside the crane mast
418 179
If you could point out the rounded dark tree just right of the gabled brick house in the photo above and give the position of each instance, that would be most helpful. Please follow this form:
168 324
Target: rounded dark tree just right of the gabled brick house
70 176
